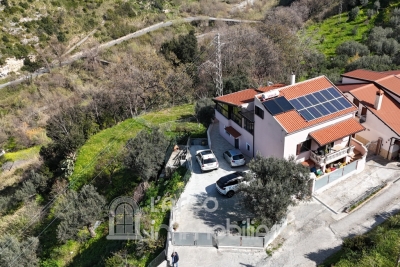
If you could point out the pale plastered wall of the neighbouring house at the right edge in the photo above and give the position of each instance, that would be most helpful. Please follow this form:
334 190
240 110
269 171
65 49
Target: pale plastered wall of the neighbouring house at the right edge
375 128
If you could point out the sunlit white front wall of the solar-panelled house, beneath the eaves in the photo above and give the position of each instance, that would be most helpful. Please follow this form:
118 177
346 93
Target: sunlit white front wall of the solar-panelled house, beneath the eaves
292 140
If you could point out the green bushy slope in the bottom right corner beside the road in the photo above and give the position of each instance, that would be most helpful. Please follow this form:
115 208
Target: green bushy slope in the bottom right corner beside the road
379 247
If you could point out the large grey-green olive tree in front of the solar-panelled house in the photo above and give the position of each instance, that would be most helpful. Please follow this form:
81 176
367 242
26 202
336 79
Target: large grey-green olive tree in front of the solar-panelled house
273 188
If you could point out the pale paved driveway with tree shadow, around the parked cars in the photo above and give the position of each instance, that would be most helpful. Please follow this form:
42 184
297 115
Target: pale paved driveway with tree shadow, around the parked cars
201 207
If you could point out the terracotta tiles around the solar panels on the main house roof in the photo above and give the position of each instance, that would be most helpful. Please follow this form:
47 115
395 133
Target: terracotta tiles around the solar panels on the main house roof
292 121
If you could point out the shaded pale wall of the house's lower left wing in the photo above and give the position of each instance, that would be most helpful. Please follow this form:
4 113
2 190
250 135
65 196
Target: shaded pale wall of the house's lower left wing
245 137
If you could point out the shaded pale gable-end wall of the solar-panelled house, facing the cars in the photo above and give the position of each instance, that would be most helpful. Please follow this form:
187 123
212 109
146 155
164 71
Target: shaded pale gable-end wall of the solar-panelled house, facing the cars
269 136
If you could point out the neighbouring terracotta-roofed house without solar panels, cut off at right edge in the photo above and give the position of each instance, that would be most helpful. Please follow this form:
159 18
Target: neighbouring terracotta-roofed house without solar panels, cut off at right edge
377 98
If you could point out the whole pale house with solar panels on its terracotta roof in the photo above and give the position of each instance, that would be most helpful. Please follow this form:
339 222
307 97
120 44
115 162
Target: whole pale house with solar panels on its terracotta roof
310 120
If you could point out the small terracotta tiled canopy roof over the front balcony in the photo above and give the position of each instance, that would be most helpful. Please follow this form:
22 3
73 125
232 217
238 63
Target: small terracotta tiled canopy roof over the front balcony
337 131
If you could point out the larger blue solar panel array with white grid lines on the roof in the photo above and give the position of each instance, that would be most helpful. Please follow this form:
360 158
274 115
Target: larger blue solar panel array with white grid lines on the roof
321 103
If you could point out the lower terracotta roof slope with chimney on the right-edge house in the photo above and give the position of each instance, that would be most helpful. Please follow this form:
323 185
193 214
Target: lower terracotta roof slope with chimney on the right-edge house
390 108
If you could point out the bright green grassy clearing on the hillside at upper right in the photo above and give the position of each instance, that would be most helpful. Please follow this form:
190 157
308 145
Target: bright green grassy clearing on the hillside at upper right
335 30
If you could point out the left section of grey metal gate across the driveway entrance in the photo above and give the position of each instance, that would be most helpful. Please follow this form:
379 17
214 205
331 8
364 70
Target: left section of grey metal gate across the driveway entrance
193 239
